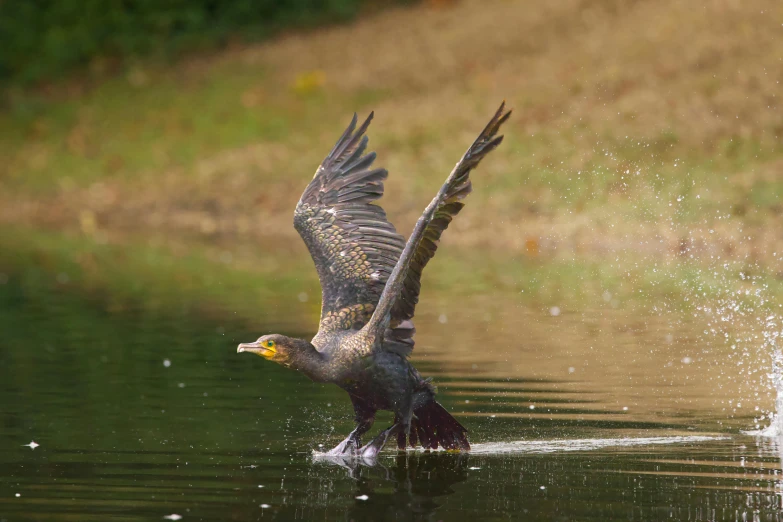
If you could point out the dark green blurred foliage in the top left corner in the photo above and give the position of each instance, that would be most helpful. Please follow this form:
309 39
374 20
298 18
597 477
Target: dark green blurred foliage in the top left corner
45 38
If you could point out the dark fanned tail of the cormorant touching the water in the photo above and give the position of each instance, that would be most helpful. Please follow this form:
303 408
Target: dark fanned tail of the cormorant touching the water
432 426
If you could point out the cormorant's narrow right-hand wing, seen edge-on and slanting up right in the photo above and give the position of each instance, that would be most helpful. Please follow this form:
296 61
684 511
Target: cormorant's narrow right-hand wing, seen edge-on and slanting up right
400 295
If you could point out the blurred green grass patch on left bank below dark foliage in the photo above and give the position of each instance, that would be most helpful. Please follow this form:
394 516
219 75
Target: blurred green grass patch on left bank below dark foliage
124 130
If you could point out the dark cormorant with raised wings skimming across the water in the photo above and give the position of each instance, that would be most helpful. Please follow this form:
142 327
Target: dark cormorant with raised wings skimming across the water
370 281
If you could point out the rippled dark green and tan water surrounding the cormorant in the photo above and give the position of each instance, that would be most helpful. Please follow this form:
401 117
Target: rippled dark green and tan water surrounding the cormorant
142 415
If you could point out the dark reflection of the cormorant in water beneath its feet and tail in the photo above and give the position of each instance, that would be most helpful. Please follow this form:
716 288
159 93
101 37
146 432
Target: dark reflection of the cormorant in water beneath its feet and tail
409 484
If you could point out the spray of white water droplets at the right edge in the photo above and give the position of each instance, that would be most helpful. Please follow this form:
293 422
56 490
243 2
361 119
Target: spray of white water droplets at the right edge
724 284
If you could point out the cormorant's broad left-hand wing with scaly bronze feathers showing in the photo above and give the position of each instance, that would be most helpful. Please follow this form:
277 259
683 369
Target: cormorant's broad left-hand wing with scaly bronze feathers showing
353 245
